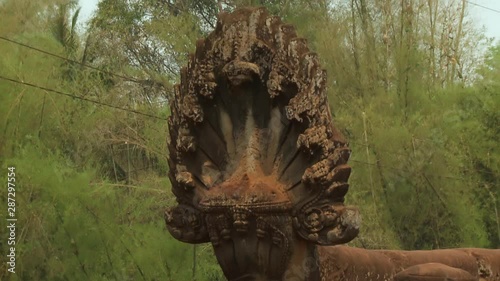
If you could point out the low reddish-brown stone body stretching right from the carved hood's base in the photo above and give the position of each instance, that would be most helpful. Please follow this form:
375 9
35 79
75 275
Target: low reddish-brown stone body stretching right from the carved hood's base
343 263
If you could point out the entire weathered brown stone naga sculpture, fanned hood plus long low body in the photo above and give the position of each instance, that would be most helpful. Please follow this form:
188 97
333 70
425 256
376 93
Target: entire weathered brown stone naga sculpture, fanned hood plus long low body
259 170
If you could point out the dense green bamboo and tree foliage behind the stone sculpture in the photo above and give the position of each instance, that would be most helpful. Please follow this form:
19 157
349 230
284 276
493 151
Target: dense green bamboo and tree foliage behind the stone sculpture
413 85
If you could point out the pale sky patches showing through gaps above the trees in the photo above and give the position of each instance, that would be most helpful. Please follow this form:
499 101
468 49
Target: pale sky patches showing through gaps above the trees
487 16
